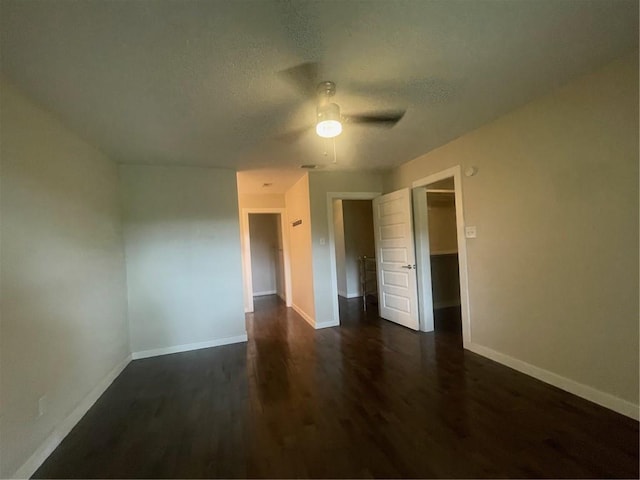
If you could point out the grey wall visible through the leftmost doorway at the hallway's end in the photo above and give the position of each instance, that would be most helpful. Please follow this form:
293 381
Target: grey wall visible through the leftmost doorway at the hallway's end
263 230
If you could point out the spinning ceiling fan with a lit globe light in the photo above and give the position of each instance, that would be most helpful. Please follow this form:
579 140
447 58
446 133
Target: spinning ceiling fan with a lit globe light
329 120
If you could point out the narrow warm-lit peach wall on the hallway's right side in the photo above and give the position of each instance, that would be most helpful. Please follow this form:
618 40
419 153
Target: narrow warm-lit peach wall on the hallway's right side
302 292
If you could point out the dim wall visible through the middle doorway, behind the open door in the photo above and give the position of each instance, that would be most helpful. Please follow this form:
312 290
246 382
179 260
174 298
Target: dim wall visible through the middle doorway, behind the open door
359 240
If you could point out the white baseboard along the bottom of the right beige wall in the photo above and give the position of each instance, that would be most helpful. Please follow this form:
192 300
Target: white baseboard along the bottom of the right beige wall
589 393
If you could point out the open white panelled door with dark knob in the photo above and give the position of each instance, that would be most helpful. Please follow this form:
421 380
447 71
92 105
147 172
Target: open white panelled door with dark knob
395 258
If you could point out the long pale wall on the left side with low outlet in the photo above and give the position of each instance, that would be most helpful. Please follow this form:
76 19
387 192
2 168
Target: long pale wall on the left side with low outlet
62 280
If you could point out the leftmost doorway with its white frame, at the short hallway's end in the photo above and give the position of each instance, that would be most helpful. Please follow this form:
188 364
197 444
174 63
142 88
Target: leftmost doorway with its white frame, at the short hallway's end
265 255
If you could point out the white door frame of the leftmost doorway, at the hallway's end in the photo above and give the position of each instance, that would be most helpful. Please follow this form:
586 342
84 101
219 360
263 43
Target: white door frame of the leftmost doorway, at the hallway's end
246 254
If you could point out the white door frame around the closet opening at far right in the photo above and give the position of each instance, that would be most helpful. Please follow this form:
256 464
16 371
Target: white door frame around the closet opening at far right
421 229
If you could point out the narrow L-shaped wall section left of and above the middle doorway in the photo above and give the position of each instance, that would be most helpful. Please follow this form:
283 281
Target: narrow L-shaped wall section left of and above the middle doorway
321 183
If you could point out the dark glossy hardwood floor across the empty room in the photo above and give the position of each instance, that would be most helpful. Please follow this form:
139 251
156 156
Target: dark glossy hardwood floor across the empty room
366 399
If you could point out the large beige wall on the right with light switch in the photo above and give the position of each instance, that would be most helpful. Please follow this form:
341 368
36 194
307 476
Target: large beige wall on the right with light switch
553 272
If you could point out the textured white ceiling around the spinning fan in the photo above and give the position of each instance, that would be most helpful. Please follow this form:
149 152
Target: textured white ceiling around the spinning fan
196 83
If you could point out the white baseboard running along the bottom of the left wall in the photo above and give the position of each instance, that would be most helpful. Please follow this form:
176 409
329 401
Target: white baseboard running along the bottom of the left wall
63 429
